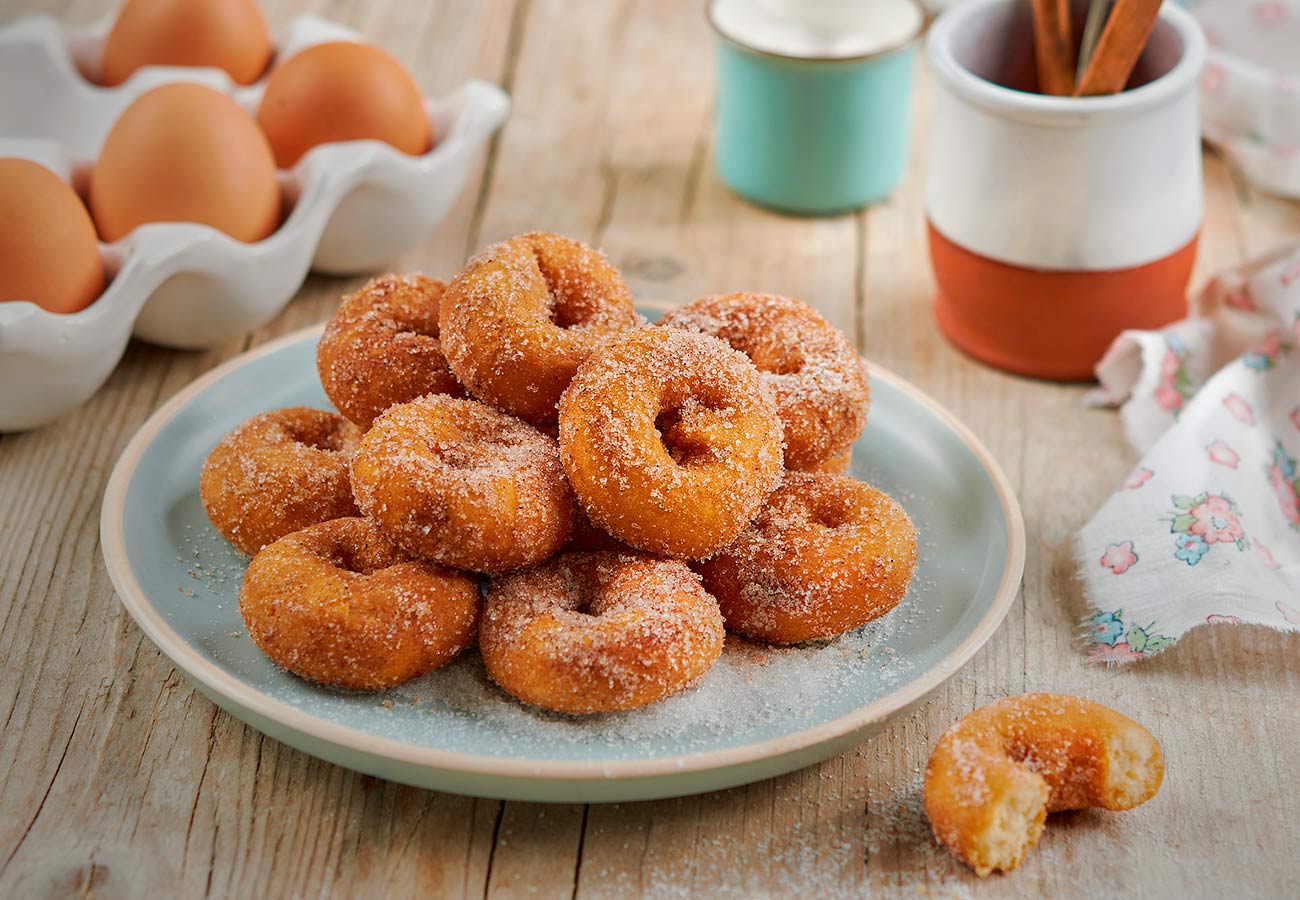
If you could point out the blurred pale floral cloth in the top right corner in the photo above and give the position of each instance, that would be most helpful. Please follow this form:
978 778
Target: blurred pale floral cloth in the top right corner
1251 88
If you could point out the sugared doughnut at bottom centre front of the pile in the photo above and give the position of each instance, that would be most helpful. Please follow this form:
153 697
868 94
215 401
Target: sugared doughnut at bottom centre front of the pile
593 633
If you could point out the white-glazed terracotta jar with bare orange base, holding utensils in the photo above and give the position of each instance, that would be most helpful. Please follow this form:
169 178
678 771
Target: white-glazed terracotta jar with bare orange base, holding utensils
1058 223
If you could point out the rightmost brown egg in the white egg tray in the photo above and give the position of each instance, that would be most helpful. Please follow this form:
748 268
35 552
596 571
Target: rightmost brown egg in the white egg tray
343 92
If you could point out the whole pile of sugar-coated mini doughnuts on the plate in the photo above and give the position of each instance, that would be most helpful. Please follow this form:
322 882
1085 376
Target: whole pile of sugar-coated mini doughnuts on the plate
521 461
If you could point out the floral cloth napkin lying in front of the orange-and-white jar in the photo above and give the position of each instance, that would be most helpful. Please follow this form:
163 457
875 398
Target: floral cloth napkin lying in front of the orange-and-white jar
1207 529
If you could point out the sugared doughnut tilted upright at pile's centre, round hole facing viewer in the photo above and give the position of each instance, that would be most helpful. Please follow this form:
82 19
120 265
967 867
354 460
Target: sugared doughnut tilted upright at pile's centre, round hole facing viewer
671 442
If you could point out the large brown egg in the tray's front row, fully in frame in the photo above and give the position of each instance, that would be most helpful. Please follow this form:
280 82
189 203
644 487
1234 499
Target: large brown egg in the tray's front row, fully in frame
185 154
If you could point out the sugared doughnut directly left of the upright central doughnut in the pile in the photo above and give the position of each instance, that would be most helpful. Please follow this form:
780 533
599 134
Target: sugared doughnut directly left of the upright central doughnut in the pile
462 484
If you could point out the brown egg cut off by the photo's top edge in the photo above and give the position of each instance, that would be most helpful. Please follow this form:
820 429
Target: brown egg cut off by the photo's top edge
227 34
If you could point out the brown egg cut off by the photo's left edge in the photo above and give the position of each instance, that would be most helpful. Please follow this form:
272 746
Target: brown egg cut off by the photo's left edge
49 253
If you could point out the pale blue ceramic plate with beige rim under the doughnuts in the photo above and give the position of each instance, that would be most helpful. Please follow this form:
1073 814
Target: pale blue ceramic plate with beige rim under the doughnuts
759 713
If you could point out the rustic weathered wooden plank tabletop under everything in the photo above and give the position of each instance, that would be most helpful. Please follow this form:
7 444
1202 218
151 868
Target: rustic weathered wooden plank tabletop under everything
118 780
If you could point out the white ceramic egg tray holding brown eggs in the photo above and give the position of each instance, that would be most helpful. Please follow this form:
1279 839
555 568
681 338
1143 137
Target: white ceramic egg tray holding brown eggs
352 207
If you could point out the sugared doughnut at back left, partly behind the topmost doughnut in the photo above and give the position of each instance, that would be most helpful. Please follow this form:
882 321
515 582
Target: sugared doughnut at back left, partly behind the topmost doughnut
382 348
